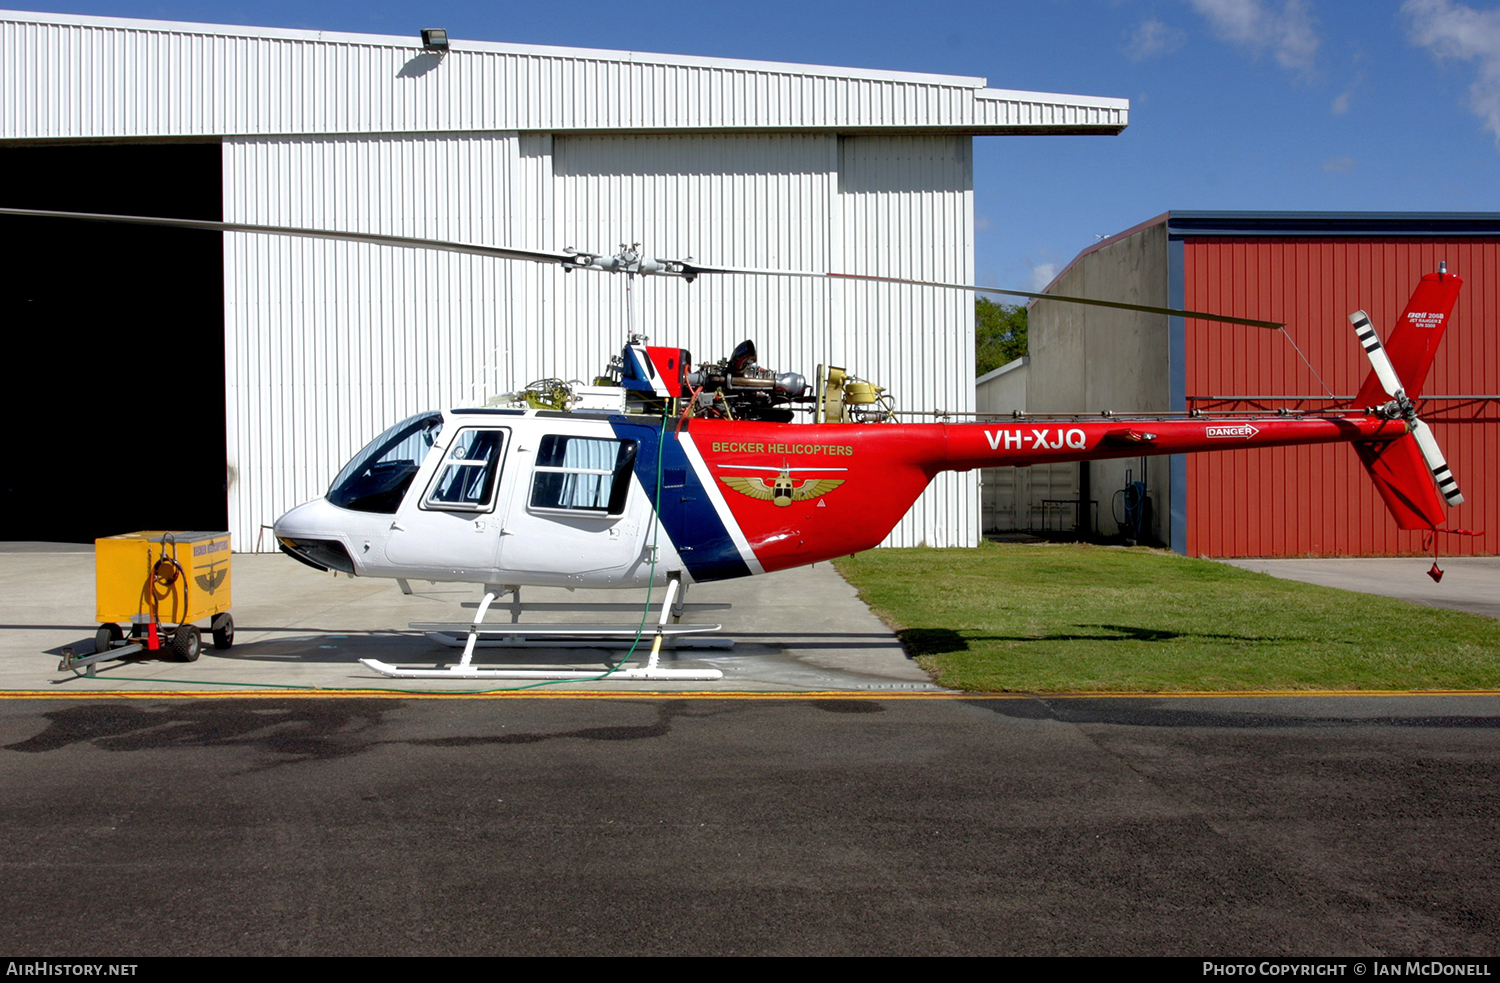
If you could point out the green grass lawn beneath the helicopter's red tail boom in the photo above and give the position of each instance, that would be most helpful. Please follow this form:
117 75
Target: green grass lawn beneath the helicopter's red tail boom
1076 619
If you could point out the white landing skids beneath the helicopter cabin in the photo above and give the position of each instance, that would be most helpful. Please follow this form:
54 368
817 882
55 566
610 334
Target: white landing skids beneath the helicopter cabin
560 637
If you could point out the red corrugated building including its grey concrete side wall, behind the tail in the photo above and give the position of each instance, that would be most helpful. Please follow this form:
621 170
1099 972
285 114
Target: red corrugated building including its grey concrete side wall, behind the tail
1309 271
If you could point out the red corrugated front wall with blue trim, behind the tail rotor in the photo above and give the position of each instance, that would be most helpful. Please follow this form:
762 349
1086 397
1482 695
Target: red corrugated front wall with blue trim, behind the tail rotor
1312 271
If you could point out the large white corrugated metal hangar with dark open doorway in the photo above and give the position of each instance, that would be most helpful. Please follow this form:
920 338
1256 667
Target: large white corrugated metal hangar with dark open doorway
260 364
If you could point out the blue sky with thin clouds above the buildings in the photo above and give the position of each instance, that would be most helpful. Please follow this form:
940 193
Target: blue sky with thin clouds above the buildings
1235 104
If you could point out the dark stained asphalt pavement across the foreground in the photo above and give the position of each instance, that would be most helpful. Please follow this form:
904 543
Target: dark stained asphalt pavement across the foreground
751 826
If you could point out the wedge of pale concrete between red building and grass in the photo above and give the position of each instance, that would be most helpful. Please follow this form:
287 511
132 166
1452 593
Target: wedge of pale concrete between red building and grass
1469 583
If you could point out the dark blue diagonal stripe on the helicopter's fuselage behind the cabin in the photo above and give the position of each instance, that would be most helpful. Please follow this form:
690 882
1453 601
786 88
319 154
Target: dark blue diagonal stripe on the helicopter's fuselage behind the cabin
688 513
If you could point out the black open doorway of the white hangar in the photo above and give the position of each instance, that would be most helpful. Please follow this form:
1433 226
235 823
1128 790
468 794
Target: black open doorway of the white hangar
115 383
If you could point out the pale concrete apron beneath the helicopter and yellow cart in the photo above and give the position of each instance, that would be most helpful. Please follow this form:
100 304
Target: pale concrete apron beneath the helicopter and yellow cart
797 631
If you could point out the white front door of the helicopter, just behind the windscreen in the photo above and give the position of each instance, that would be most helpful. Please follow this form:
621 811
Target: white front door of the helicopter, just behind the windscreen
451 526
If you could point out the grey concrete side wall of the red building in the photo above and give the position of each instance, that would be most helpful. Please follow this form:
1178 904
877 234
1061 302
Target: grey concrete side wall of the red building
1091 359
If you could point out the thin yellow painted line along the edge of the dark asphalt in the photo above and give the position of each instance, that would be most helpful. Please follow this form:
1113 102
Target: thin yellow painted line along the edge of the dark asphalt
389 694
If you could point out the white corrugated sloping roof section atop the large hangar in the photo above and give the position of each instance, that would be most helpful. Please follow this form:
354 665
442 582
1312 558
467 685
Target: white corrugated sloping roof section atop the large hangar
103 77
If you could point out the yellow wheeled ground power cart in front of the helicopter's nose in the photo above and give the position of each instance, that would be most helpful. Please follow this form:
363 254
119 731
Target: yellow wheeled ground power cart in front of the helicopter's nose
160 583
